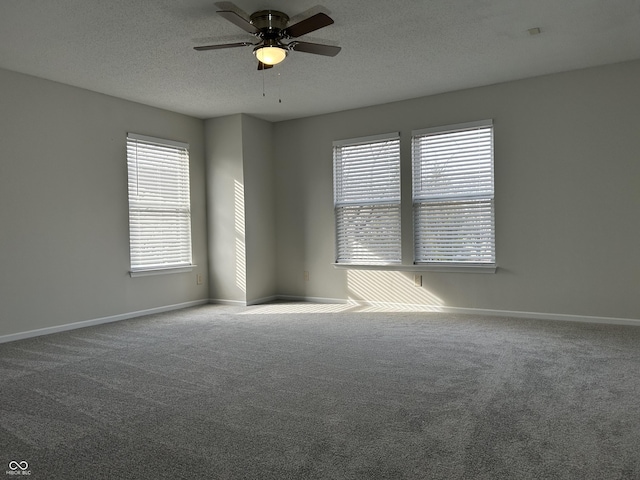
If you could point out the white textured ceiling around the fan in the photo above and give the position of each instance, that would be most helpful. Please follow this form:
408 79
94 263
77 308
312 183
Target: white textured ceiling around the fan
141 50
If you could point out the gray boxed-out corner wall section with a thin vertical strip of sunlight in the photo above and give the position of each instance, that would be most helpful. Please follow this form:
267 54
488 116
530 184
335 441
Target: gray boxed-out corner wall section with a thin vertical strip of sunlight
241 216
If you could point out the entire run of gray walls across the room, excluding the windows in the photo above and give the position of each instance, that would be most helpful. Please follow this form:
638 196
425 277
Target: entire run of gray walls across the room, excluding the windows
567 202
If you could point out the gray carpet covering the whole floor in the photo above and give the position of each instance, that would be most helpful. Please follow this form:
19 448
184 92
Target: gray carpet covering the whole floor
218 392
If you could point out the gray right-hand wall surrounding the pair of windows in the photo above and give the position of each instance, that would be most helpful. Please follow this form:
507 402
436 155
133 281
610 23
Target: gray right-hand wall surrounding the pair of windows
567 173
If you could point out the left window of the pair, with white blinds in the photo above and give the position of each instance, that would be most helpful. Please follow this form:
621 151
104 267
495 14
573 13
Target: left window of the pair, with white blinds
367 200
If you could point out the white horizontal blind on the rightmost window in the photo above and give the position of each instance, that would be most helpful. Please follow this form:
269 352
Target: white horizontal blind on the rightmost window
453 195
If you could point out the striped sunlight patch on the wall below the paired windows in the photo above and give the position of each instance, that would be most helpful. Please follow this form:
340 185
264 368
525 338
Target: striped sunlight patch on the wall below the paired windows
384 290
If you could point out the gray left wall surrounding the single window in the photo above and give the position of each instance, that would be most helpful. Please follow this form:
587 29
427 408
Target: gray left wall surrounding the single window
64 244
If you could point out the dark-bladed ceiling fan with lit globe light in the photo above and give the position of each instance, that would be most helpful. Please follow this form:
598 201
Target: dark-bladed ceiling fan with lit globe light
272 29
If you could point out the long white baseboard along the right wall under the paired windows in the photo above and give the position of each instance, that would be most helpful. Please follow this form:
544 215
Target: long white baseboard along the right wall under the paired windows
469 311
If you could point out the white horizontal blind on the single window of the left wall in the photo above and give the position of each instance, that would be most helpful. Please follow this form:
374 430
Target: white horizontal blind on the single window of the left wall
159 203
